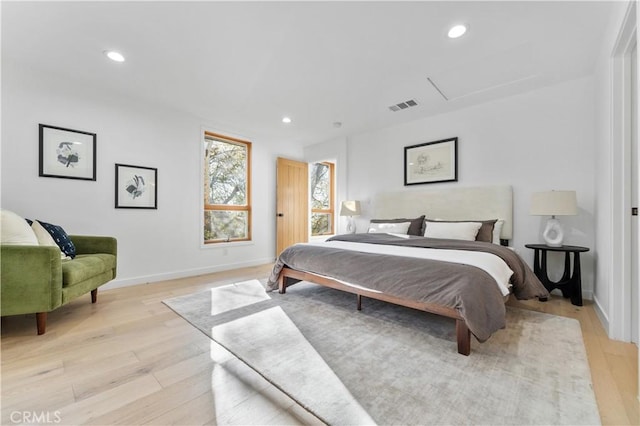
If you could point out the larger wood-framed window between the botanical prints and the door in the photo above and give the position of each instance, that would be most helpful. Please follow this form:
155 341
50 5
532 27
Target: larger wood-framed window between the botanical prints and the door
227 189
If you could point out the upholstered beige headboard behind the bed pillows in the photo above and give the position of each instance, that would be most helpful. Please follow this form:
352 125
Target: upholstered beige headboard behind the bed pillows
451 203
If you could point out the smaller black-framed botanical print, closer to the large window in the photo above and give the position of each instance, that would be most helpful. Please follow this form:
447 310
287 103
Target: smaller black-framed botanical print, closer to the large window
136 187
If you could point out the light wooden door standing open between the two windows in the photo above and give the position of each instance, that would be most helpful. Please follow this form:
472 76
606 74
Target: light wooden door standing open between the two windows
292 203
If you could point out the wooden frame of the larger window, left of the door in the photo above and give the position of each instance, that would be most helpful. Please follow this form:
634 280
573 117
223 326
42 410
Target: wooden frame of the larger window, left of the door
226 207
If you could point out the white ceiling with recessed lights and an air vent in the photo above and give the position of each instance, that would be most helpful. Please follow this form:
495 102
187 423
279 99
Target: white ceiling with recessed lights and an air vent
242 66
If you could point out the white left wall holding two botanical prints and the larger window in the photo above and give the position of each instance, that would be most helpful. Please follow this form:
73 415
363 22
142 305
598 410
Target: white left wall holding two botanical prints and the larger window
152 244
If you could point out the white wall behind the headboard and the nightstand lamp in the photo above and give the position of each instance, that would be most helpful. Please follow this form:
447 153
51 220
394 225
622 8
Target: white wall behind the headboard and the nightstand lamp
536 141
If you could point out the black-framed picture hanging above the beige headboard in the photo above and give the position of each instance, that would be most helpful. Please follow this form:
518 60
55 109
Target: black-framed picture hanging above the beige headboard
431 162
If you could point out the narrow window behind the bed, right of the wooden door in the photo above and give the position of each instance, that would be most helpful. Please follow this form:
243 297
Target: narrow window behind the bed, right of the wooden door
322 198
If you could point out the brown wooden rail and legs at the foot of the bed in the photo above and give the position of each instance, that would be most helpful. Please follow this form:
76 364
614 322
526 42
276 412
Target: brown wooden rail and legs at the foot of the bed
463 335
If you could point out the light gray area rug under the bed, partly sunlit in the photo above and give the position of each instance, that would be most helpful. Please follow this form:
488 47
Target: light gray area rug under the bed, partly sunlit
393 365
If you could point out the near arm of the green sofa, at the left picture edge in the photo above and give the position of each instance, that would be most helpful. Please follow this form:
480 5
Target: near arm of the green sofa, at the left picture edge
31 279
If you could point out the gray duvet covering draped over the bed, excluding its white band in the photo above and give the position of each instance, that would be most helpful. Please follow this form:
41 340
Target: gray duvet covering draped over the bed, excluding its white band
468 289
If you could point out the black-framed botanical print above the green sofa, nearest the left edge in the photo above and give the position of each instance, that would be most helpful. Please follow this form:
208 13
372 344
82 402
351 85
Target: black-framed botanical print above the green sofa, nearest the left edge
67 153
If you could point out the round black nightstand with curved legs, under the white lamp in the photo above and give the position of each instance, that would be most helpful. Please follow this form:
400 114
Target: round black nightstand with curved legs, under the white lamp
570 284
